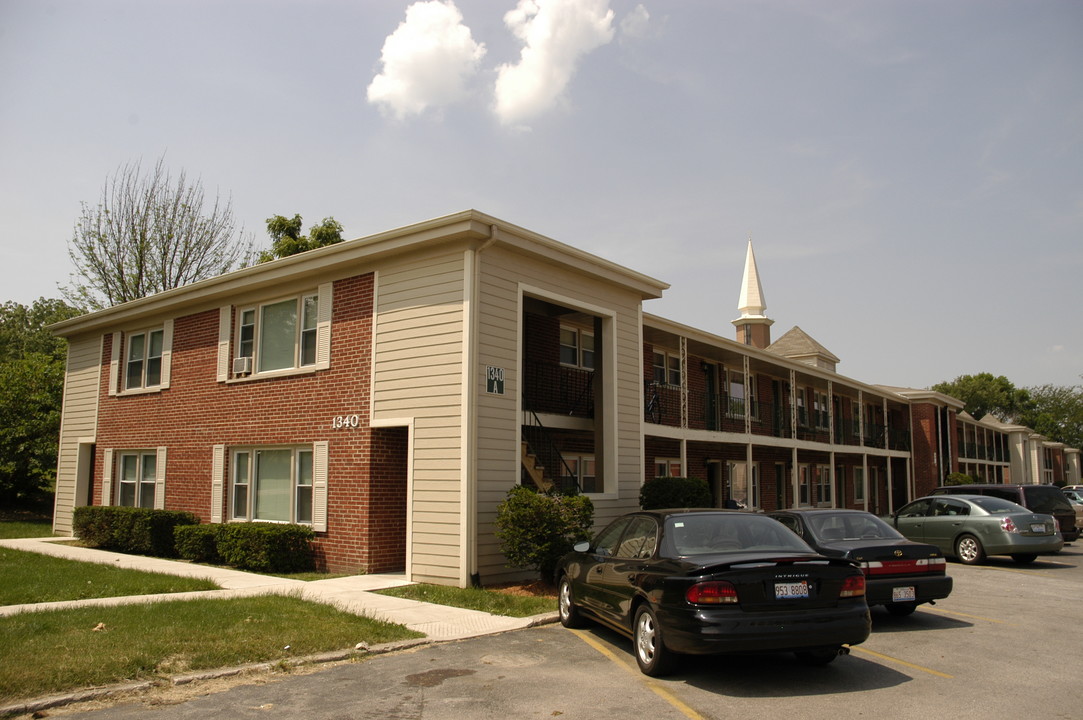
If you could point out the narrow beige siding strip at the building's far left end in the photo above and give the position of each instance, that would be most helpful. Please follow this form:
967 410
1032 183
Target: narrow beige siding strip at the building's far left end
80 422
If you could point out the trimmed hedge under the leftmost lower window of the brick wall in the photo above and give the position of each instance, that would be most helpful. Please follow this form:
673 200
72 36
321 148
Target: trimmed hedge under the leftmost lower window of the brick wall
139 531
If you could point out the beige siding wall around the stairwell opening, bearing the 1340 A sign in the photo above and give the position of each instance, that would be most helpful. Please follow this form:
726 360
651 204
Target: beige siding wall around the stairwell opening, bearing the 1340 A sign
499 426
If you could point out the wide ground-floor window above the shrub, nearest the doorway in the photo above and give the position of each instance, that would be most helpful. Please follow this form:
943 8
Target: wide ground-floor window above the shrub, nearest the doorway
272 485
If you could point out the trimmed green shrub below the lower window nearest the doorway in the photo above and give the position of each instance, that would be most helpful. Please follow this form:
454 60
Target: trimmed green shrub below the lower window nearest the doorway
267 547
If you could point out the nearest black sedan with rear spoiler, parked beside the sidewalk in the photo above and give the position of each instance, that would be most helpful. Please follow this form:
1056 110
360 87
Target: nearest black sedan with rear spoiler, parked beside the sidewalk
703 582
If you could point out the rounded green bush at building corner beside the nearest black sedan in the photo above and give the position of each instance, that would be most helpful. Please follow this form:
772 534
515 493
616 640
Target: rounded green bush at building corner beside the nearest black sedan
536 530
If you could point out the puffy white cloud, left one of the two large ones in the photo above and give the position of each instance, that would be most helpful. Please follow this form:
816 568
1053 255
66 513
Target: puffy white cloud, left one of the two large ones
428 61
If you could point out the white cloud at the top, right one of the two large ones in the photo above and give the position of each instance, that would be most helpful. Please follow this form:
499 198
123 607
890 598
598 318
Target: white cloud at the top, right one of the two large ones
556 34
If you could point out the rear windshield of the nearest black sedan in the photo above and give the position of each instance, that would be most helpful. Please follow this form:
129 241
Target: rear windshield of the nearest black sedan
714 533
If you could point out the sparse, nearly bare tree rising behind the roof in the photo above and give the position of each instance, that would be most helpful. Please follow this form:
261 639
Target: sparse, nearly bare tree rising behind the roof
151 233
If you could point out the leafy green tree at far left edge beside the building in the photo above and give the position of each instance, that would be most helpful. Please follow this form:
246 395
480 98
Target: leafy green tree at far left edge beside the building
32 386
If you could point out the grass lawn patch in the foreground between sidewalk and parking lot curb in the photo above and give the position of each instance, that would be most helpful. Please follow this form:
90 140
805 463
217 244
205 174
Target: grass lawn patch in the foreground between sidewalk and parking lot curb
49 652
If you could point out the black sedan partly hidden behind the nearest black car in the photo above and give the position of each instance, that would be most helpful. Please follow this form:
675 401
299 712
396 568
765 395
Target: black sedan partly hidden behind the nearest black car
901 574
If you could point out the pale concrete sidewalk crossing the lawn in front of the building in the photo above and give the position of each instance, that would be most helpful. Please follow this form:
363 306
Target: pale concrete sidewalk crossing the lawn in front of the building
354 594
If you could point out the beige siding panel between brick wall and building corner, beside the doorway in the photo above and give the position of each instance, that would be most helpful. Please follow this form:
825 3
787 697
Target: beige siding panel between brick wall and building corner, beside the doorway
417 372
